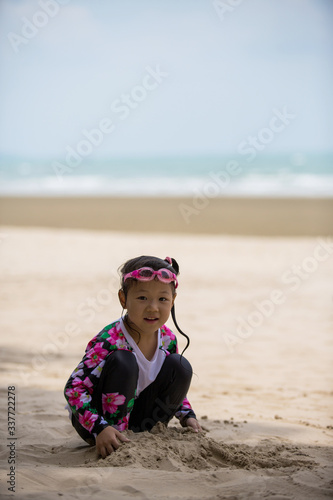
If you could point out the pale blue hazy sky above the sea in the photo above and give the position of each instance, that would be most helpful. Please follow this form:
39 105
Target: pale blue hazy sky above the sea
156 78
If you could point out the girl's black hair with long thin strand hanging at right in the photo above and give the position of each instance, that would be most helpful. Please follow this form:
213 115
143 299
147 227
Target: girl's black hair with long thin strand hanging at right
156 264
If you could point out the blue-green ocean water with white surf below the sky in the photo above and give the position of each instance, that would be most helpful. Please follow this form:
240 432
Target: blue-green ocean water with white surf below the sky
309 175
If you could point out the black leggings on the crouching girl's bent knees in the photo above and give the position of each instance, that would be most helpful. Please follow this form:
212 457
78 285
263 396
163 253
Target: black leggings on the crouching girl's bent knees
156 403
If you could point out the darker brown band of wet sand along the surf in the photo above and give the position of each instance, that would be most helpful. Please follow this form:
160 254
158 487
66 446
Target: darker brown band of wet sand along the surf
200 214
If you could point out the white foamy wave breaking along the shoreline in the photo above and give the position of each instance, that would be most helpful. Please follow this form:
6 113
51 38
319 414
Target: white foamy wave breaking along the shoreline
90 185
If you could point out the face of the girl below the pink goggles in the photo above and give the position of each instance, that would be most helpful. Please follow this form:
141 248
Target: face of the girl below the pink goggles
148 304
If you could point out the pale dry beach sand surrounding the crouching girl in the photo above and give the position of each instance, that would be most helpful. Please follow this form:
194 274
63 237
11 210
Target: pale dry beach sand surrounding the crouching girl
262 387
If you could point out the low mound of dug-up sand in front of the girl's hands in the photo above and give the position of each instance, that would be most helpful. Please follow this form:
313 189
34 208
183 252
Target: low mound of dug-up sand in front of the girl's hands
178 449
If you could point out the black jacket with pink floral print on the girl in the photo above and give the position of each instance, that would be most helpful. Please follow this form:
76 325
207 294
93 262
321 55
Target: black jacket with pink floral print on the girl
80 386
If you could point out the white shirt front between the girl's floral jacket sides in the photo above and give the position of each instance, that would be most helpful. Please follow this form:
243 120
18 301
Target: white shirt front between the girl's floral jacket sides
148 370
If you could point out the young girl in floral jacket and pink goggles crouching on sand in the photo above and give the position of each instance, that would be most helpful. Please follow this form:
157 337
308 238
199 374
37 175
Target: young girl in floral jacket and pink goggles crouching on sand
131 375
